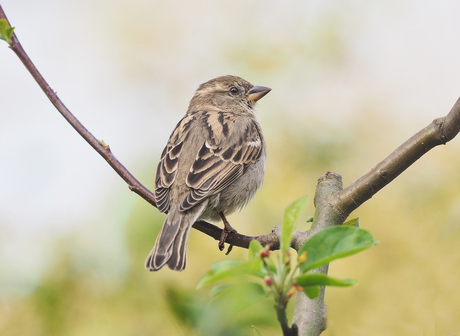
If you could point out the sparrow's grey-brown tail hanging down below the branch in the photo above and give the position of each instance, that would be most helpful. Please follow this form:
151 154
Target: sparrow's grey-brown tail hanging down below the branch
171 244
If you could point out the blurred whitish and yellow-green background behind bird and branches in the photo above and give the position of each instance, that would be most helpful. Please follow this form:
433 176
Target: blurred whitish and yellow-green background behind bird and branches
351 81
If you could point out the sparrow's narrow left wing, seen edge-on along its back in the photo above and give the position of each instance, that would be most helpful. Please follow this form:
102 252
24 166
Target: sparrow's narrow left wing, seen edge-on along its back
169 162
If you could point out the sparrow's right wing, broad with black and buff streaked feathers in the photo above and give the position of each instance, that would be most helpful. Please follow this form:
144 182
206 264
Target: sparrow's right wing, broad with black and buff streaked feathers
232 145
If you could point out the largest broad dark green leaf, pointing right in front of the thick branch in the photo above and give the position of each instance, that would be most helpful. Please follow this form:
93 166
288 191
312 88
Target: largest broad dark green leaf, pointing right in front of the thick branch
334 243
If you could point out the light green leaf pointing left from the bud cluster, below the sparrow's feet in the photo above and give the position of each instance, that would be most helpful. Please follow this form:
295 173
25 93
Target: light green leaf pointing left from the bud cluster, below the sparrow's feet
230 268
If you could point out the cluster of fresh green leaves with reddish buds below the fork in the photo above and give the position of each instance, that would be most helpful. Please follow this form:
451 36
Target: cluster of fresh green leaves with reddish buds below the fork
283 277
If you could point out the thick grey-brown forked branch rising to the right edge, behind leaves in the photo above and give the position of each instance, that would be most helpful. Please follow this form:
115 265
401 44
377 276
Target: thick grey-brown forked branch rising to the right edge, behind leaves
333 205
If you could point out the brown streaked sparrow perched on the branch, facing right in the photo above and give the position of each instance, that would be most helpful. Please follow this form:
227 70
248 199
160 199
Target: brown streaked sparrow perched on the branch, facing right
212 165
